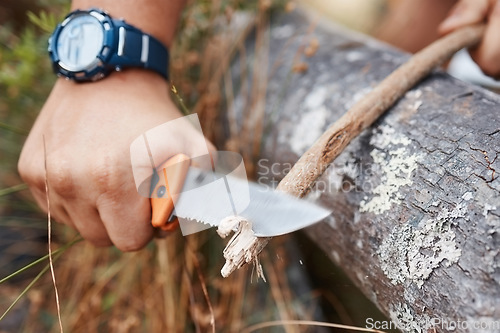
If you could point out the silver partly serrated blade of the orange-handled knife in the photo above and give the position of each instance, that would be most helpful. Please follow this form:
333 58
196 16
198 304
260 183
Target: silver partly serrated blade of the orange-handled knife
208 197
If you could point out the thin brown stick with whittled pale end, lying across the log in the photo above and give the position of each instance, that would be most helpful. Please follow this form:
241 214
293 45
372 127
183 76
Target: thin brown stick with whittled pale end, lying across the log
244 246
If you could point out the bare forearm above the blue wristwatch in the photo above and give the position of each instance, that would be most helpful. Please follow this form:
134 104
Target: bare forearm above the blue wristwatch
158 18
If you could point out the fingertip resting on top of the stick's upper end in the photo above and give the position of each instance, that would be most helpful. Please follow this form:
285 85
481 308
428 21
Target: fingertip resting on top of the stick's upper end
465 12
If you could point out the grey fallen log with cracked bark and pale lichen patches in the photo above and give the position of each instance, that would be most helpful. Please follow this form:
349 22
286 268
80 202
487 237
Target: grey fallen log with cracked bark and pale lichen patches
416 197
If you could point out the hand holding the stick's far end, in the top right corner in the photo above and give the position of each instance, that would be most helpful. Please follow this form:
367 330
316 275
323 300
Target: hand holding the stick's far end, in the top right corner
465 12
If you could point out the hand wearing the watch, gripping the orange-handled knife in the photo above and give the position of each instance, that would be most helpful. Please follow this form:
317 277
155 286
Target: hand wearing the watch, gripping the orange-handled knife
88 129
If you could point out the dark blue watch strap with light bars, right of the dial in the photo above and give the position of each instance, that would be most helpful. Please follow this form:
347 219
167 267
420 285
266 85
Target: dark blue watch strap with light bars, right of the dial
137 49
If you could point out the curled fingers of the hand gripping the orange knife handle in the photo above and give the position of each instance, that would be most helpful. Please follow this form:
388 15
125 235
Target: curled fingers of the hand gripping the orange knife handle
98 209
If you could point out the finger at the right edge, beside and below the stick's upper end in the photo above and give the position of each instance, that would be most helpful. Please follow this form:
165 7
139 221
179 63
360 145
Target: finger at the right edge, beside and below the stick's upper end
487 54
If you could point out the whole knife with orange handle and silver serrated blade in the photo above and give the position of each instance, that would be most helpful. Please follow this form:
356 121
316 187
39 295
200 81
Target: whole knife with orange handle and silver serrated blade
201 198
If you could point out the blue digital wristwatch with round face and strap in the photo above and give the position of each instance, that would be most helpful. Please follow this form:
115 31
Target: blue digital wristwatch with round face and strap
89 44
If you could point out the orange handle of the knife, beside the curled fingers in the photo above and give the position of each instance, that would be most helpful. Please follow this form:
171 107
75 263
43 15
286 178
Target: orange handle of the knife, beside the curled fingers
166 193
